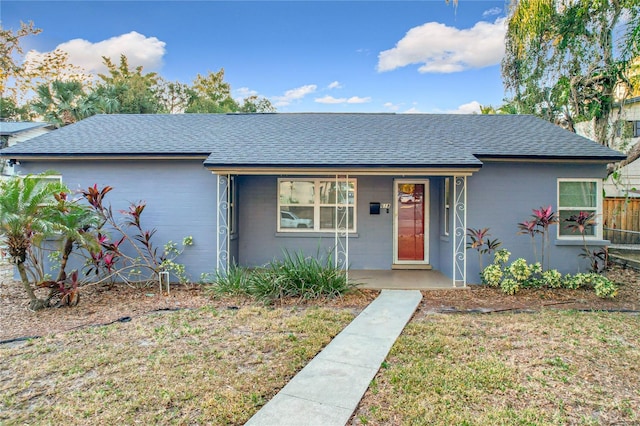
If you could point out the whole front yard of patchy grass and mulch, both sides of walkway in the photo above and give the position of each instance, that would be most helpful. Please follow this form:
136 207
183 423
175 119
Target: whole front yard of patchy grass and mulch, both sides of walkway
473 356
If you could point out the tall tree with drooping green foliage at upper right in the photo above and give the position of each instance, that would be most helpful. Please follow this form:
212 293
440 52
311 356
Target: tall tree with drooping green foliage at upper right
563 60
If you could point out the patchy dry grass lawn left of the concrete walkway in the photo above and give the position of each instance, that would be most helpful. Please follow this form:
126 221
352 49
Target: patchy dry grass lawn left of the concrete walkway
204 366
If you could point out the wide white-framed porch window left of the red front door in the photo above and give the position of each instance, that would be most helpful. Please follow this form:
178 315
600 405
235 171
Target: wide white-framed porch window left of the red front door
316 205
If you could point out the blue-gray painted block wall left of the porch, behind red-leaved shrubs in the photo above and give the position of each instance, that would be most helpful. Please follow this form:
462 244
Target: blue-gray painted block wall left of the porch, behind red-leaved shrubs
180 199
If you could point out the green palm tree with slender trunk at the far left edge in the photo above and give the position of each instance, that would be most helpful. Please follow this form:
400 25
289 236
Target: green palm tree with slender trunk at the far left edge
23 219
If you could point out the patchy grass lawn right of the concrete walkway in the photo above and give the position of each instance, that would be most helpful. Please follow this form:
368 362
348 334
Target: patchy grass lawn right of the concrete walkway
546 368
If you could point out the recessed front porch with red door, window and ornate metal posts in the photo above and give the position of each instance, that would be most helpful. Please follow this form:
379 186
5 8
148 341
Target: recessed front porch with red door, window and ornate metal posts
360 219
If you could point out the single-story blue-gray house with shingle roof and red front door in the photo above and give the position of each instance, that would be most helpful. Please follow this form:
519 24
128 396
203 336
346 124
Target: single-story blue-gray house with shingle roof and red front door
382 191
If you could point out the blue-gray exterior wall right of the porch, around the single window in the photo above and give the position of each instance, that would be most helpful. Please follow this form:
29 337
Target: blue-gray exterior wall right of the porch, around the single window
502 194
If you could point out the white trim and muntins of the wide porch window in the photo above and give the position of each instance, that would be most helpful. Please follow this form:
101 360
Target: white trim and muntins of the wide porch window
317 205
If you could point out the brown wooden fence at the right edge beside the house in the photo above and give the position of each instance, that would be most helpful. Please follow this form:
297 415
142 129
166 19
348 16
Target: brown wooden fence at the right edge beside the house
621 220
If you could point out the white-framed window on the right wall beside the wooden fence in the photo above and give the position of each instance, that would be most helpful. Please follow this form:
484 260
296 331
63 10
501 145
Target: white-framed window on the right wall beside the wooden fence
576 196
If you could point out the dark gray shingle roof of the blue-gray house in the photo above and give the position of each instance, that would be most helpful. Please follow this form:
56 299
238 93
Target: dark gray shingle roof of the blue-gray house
312 139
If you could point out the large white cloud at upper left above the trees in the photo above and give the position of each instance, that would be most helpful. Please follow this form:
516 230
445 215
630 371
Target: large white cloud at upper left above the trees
139 50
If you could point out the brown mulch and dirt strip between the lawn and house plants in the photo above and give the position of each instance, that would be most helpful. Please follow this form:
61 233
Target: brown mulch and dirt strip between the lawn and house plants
104 304
